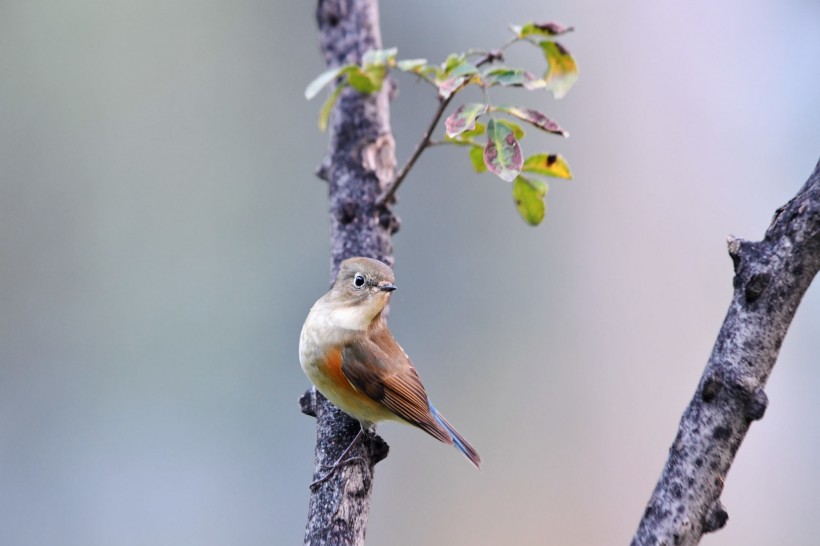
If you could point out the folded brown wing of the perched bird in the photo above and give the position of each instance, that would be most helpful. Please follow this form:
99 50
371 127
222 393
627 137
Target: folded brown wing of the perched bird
377 365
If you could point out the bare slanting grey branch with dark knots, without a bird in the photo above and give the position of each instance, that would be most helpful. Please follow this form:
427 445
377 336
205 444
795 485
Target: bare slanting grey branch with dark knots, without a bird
770 279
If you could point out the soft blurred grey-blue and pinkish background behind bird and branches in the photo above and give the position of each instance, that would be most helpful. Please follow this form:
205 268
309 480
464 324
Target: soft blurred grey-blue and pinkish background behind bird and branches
162 237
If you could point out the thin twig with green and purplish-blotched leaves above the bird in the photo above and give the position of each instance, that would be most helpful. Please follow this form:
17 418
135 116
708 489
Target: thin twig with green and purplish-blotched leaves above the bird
494 146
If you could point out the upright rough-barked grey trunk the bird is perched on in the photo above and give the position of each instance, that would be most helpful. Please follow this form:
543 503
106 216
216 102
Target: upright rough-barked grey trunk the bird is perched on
359 164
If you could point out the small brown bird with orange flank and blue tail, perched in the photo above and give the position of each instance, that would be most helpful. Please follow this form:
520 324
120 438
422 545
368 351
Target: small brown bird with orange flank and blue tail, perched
348 352
